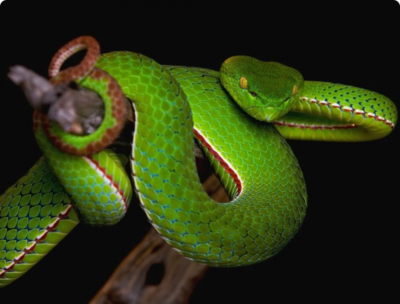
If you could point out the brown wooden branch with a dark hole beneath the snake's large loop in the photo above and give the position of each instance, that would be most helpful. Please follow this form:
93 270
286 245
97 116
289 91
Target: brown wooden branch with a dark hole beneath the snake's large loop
179 276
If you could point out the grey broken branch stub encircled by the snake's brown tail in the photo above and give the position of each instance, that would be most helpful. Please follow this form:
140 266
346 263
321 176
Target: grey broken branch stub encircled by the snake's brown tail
76 110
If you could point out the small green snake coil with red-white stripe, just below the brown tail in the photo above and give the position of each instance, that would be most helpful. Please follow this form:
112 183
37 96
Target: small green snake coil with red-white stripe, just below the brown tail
95 196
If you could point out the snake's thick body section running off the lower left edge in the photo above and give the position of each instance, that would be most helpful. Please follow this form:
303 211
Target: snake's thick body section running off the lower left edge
26 210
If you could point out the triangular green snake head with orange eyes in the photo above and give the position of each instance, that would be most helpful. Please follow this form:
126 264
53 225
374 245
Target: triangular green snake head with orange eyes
264 90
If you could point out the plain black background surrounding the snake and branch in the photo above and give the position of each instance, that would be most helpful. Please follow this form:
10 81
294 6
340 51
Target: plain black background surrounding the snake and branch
348 245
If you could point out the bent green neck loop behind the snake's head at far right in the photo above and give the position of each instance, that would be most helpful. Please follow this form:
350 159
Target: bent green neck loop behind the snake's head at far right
336 112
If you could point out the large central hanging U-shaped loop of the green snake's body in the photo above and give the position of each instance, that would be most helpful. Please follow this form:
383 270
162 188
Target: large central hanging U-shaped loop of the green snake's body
256 224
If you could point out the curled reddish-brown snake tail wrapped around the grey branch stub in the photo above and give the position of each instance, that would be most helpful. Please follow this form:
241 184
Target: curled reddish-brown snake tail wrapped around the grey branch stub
94 79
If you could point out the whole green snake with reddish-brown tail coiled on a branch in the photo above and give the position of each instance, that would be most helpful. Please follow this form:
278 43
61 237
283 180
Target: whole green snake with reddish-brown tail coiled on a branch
80 179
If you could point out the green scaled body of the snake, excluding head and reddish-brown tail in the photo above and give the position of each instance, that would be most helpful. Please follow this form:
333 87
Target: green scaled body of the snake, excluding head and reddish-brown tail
255 225
